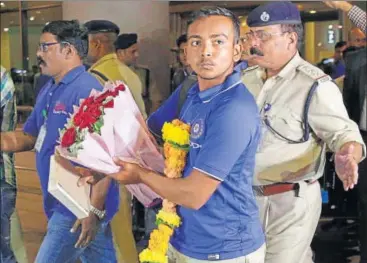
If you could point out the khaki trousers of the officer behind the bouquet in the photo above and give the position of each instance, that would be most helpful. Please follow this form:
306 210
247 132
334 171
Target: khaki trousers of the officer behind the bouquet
122 233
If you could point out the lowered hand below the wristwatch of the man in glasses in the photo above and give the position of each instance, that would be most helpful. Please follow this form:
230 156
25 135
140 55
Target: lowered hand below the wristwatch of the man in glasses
90 226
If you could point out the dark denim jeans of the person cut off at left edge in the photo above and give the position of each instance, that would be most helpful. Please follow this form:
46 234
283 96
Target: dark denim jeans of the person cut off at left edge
7 199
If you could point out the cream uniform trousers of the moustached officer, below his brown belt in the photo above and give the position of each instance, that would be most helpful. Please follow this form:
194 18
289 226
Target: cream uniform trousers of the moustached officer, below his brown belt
289 220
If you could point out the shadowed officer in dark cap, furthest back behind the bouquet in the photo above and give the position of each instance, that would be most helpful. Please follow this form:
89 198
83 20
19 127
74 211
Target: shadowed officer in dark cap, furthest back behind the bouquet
127 50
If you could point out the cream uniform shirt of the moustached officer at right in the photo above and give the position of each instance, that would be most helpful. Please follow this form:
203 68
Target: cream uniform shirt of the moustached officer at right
282 99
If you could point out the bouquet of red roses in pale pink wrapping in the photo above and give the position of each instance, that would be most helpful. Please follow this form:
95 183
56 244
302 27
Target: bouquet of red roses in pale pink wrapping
106 125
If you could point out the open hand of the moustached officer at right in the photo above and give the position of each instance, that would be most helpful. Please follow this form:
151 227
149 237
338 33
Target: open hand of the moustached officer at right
346 167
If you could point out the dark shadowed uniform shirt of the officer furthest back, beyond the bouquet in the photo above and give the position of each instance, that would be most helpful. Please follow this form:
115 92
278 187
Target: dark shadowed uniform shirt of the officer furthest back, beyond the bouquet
150 92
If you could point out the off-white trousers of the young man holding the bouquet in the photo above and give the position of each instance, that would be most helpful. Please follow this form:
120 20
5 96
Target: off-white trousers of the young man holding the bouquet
255 257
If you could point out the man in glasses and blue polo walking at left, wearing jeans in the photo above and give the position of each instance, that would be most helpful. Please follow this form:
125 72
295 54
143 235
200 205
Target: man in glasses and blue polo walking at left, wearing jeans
63 44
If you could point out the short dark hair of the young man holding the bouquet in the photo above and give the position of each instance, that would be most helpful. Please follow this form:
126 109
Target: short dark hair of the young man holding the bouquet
216 11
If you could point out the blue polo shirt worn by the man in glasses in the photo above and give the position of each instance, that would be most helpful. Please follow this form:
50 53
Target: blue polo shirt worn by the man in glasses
75 85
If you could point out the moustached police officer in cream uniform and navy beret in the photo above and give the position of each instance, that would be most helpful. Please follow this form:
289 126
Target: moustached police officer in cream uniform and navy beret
296 131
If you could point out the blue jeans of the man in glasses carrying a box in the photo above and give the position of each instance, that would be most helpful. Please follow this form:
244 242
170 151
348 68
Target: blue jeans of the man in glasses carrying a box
58 244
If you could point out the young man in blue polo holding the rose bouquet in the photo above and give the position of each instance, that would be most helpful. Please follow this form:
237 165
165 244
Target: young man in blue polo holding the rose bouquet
220 220
